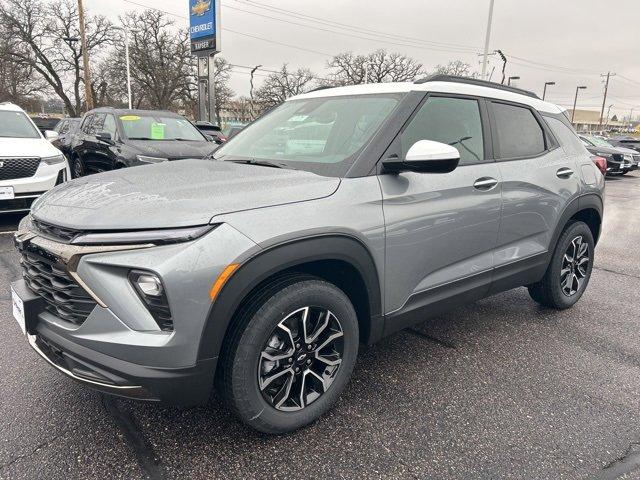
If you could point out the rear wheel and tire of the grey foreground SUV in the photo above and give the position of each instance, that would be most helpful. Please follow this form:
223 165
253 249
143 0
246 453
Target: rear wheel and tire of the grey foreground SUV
569 270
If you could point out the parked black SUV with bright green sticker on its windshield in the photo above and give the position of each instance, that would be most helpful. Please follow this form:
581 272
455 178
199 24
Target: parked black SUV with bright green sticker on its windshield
109 139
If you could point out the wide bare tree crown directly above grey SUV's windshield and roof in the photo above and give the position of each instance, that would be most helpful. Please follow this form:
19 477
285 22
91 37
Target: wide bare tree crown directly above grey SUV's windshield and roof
376 67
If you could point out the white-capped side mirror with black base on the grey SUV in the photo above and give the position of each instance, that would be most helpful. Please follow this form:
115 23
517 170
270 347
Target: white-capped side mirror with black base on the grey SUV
425 156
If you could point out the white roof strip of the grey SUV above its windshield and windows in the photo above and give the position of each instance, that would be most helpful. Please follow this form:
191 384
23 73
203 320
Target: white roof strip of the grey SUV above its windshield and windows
485 90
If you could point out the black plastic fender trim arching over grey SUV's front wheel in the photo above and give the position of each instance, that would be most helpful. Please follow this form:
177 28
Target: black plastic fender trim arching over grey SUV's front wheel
286 256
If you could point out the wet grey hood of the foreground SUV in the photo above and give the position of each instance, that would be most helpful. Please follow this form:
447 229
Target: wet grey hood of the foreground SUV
174 194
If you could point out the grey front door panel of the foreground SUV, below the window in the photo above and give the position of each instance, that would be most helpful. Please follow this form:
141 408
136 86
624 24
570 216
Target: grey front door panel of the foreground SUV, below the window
440 229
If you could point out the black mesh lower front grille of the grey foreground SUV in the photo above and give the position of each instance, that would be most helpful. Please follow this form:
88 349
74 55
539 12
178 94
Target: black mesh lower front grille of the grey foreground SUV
48 277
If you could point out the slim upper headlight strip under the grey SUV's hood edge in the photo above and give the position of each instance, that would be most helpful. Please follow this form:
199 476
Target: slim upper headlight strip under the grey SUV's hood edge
157 237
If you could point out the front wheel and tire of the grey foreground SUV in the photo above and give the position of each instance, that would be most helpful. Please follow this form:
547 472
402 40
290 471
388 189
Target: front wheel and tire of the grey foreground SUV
290 354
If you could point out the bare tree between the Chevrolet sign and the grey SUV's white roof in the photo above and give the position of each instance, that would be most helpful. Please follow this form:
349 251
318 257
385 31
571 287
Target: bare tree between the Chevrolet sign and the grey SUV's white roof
277 87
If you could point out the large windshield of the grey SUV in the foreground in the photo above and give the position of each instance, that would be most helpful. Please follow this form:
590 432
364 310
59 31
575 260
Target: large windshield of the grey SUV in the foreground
321 135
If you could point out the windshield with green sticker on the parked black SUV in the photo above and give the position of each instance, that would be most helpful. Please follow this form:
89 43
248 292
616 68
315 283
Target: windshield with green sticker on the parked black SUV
157 127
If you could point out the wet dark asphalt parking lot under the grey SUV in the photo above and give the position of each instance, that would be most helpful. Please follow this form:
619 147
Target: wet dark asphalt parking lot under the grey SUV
498 389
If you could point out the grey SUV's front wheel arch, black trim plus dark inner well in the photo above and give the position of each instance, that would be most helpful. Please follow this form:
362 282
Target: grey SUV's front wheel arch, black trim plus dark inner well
338 258
